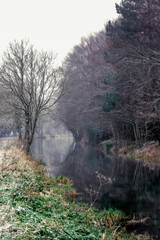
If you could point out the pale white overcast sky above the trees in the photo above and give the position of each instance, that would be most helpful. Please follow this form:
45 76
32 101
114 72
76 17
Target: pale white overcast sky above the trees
52 25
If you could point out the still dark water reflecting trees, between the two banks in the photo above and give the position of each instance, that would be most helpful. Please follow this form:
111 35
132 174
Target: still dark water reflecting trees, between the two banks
112 181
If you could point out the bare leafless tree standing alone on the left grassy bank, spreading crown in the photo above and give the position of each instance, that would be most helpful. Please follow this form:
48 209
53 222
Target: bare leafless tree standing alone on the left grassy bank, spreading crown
34 83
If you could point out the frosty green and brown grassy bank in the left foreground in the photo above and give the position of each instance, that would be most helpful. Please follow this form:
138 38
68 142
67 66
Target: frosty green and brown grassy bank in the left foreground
34 205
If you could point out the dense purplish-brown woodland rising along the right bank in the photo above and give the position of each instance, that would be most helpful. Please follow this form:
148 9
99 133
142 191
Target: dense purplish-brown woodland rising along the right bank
115 85
